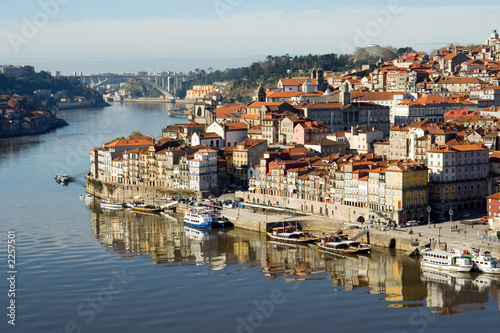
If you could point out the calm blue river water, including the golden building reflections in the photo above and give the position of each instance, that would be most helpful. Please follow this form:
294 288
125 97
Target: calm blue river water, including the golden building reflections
79 269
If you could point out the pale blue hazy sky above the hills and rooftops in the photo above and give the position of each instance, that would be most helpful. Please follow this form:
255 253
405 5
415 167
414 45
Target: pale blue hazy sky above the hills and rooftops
94 36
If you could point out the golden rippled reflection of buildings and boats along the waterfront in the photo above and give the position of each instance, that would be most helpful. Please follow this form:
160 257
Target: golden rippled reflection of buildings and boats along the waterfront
165 240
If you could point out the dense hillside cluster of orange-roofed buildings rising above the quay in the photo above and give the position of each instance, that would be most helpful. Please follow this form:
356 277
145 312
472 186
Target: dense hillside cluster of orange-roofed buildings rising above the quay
337 146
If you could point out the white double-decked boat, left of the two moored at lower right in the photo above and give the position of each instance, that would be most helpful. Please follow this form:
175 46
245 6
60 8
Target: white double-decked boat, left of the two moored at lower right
453 262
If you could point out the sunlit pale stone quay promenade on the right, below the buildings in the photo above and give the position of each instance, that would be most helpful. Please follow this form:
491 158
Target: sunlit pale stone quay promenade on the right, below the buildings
439 235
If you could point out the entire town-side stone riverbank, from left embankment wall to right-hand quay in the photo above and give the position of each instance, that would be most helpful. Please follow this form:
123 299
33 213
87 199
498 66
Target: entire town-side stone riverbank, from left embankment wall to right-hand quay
439 236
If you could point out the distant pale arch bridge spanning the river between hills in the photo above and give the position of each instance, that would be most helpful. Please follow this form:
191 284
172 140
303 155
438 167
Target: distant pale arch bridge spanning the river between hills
167 84
